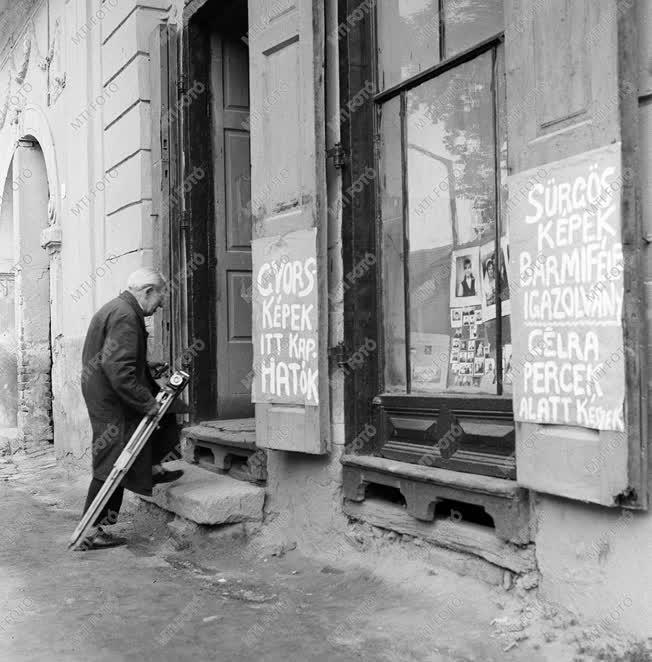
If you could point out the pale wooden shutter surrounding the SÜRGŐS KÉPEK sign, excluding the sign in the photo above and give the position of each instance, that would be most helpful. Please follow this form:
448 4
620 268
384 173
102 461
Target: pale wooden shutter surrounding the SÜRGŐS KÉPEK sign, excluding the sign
581 103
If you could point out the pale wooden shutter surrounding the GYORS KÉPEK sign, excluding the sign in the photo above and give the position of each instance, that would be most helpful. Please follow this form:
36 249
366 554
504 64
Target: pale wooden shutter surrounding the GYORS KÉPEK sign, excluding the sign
288 124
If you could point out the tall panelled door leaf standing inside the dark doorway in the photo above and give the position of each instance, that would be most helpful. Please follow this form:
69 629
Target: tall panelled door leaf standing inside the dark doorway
232 191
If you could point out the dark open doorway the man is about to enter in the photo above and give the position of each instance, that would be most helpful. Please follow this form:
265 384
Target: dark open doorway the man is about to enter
219 209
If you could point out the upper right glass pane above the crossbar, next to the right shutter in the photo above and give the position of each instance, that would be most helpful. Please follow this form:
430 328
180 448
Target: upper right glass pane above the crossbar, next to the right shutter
468 22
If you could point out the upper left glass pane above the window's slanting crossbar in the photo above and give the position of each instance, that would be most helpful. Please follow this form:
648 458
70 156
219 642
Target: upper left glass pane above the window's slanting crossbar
408 39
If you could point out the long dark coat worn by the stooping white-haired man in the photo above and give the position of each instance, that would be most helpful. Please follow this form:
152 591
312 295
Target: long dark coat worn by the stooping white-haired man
119 389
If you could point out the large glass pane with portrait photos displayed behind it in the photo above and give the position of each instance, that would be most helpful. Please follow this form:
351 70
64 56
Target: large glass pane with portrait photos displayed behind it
452 230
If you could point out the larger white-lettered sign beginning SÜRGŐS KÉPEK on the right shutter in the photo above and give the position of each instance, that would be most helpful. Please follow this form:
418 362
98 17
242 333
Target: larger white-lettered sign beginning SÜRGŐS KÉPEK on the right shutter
566 271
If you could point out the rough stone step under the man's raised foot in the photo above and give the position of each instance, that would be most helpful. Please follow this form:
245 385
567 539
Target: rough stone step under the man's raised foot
208 498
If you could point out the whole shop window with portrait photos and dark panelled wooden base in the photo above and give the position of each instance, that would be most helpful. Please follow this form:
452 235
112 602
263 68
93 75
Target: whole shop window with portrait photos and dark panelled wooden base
442 157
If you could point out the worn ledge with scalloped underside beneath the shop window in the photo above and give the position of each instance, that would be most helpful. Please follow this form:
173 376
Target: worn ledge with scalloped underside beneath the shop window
422 487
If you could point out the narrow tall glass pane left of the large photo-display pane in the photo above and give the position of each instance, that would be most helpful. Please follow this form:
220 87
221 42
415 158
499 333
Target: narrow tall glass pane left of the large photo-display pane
391 210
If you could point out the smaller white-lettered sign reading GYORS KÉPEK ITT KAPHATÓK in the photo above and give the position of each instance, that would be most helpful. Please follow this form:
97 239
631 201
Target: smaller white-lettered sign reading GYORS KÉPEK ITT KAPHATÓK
285 319
